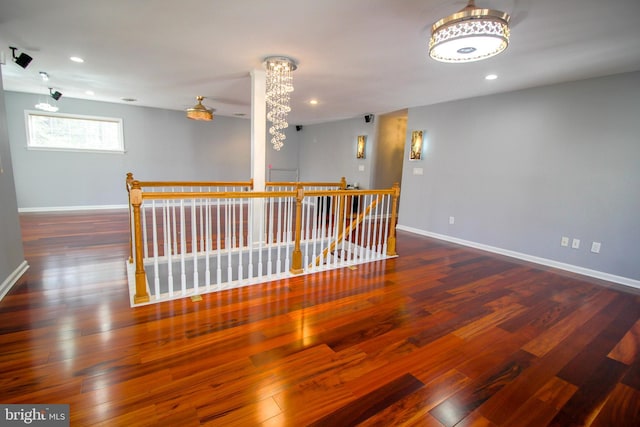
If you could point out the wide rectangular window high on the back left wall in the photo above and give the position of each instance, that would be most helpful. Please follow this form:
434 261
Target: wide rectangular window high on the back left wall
50 131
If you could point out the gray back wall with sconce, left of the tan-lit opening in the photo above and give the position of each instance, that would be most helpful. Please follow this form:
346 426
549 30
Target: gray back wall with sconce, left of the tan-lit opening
328 151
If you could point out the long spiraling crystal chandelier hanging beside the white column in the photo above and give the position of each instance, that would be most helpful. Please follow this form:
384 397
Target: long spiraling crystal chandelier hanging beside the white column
279 87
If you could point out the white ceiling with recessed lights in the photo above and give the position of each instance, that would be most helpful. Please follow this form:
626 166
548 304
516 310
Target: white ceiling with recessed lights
354 56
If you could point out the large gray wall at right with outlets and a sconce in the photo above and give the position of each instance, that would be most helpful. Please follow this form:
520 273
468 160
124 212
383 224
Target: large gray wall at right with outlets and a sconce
520 170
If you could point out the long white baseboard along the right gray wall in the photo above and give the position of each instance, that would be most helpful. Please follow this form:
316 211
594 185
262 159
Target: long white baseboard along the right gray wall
525 257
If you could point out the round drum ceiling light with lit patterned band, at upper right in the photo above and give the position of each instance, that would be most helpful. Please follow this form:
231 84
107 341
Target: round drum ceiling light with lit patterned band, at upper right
471 34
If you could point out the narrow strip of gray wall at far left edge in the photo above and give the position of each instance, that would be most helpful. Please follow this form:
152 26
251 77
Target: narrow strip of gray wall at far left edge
11 250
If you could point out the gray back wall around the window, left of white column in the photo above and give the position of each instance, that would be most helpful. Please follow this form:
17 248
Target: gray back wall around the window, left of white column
160 145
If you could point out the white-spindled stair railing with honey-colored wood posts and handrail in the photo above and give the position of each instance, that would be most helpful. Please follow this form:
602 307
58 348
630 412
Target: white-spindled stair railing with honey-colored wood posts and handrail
193 242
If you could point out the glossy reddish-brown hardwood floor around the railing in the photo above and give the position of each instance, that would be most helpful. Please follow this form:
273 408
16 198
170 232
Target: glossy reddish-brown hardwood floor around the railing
442 335
